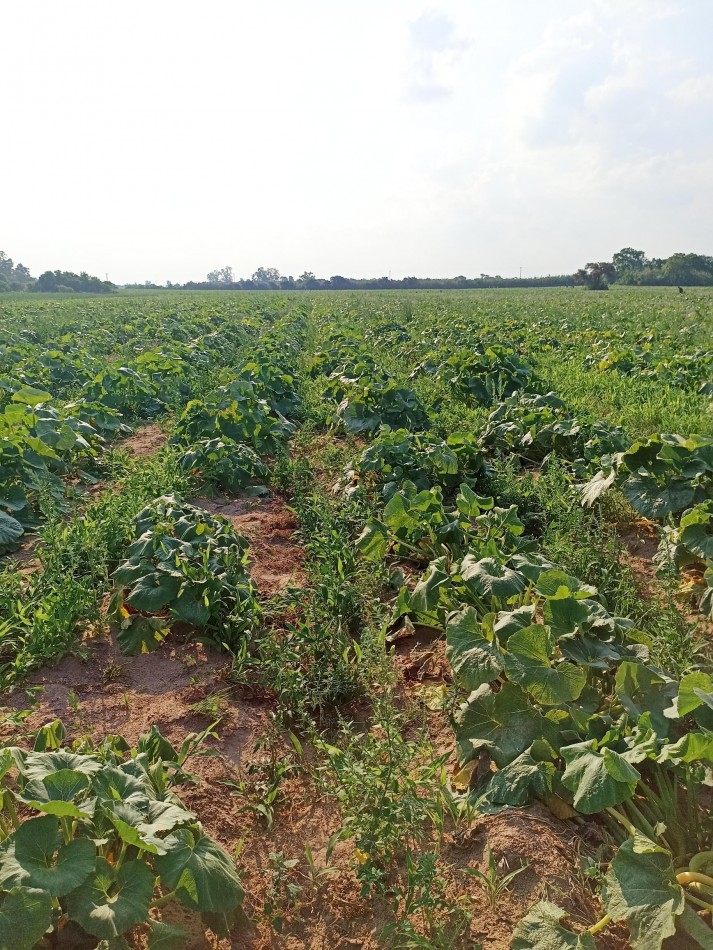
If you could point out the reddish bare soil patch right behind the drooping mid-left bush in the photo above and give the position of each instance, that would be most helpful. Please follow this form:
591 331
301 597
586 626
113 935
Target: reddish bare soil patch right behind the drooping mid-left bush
276 559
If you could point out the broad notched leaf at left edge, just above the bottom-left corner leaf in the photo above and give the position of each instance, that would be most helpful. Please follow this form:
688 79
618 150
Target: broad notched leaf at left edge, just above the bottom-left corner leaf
35 856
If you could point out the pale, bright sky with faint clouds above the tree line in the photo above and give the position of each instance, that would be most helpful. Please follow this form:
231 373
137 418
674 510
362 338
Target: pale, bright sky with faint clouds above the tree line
160 140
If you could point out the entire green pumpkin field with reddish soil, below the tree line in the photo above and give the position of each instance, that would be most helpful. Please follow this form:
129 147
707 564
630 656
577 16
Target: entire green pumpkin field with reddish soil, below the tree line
359 619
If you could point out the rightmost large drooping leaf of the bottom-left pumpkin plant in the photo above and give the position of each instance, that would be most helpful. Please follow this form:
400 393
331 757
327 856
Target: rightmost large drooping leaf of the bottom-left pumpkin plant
200 872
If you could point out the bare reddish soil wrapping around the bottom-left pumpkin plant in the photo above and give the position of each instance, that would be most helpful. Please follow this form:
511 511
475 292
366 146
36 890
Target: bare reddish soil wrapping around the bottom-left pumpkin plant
110 693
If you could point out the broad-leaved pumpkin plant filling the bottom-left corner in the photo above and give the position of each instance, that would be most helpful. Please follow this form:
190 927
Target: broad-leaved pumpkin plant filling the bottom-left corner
107 844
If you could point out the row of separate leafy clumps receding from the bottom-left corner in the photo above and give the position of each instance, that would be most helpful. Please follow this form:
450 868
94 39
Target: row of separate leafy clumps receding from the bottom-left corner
107 838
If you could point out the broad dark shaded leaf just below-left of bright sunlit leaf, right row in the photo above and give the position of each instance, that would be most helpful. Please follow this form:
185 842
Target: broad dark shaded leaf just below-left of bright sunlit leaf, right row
503 722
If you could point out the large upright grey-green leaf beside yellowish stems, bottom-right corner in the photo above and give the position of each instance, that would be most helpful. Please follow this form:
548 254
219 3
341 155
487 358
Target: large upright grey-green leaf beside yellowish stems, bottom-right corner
642 890
